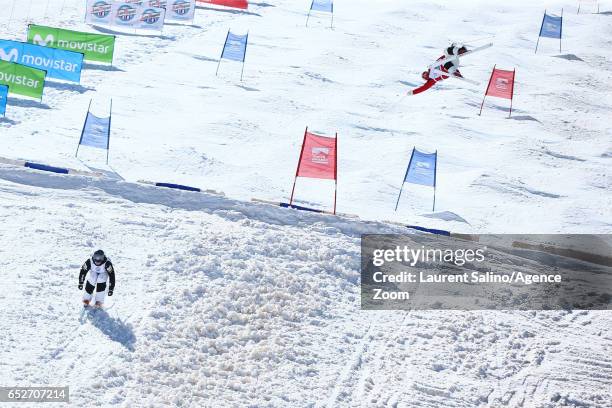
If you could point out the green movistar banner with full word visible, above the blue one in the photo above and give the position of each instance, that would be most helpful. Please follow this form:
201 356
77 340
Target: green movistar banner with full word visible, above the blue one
95 47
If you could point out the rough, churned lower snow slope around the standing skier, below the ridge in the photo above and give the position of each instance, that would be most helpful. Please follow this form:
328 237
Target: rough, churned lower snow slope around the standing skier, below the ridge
223 303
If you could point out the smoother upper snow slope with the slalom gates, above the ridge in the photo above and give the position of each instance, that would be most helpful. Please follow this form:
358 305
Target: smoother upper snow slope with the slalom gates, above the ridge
175 121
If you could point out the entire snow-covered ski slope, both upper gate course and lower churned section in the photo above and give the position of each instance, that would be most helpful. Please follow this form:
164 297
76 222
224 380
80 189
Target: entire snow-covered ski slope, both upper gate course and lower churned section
221 302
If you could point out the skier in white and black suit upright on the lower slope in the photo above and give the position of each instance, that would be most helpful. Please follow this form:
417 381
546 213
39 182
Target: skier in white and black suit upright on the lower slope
100 270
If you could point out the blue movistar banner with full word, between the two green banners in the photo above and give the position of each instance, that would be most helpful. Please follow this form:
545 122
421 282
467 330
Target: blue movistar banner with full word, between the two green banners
59 64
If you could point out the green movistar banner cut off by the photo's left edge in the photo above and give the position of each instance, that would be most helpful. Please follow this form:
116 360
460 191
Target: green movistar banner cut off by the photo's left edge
22 80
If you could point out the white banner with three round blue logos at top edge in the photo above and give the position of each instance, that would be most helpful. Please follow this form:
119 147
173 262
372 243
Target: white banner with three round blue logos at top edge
128 14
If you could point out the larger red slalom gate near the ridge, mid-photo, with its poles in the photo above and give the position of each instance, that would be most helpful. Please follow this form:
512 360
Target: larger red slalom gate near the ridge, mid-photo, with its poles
318 159
